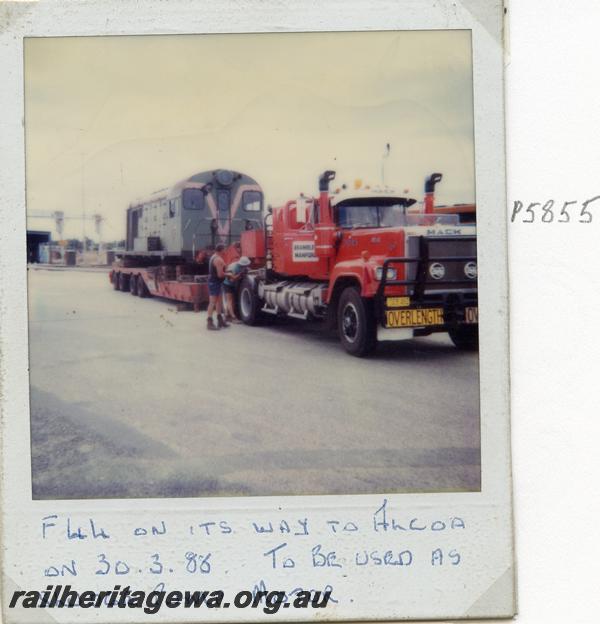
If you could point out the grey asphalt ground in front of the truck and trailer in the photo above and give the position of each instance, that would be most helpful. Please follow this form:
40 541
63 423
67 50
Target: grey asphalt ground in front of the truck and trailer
133 398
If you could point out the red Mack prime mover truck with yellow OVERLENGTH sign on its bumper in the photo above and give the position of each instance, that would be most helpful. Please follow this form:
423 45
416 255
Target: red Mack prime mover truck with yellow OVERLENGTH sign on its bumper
367 262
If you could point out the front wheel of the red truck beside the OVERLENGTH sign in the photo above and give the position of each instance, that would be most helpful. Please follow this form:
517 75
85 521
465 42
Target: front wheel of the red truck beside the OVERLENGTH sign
356 323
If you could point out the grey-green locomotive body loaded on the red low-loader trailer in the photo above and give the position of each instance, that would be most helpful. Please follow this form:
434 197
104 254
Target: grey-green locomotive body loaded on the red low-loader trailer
194 215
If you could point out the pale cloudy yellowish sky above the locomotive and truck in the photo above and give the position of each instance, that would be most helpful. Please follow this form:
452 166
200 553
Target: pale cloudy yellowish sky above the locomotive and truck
112 119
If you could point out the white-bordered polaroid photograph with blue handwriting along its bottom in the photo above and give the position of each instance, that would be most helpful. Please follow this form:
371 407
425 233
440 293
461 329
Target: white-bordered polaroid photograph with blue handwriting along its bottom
254 310
